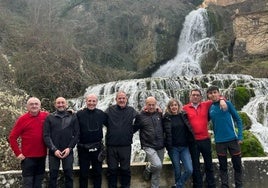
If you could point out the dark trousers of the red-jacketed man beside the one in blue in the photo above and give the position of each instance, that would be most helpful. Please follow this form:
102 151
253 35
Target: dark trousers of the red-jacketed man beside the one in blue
202 147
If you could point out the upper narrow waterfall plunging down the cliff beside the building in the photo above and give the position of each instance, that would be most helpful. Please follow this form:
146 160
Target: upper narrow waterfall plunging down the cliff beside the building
193 45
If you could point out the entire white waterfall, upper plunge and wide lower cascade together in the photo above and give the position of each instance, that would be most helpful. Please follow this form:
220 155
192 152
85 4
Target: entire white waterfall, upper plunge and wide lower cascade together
171 82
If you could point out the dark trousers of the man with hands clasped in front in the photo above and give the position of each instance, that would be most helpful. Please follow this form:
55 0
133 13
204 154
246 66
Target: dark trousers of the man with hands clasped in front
67 165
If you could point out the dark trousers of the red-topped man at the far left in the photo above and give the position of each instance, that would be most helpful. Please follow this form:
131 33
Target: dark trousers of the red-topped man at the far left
33 169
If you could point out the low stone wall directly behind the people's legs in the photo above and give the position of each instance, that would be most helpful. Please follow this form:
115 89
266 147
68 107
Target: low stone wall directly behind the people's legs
255 175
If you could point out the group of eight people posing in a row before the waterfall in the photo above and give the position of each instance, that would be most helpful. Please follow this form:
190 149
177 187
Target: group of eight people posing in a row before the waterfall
182 130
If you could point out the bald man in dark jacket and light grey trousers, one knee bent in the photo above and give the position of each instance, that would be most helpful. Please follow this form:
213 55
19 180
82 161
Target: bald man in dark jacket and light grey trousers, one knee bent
149 123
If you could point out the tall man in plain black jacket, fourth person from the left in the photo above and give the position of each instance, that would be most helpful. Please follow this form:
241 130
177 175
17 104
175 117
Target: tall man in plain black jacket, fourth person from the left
119 139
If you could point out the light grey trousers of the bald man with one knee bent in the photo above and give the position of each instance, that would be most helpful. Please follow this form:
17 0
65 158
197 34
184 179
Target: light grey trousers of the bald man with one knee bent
155 158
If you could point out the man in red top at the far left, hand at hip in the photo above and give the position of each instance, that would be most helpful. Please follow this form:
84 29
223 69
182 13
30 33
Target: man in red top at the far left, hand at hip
32 150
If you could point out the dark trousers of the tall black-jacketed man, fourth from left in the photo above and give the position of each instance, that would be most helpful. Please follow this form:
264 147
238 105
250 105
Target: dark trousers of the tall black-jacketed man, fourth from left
118 156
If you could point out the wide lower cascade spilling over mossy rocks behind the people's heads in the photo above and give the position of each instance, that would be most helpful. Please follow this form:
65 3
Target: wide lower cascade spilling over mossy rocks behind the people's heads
164 88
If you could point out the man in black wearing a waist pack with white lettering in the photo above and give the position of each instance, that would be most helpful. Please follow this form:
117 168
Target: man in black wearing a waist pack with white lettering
91 121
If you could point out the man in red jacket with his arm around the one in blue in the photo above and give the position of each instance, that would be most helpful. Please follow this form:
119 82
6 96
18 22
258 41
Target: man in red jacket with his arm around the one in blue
197 112
